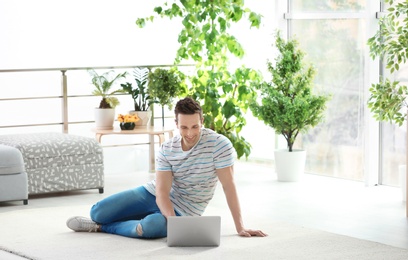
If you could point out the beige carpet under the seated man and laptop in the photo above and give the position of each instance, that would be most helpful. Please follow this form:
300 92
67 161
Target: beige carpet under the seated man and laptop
41 234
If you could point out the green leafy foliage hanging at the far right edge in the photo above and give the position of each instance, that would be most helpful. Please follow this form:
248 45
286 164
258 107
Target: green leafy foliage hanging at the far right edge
388 97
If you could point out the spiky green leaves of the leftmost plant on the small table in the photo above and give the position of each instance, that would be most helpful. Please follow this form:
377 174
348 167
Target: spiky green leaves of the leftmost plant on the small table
103 84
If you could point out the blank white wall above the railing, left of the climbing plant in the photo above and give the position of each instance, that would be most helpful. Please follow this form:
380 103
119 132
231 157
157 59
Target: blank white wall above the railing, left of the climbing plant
47 33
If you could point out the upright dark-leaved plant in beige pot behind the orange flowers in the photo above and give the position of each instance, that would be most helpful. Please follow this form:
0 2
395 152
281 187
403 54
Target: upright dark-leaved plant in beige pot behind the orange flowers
141 98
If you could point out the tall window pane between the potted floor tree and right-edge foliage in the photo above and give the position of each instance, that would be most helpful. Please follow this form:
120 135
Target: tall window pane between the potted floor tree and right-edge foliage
334 44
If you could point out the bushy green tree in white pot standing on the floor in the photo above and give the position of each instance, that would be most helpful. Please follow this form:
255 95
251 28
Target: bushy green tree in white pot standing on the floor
288 105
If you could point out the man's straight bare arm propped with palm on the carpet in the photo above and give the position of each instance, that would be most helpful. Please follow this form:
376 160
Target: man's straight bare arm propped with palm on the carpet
226 177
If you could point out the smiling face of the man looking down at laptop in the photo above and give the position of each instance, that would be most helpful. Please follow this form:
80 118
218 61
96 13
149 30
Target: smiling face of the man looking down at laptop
190 129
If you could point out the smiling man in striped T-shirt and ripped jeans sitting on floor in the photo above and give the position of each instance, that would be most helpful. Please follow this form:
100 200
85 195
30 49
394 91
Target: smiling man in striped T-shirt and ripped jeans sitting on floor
187 170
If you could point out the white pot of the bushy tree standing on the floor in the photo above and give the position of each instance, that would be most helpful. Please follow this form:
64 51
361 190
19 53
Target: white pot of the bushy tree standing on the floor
290 166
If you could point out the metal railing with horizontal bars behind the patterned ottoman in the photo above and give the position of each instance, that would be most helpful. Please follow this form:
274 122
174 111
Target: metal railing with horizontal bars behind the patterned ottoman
64 91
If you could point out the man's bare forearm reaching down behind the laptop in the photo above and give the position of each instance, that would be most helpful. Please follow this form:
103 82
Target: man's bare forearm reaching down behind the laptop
164 180
